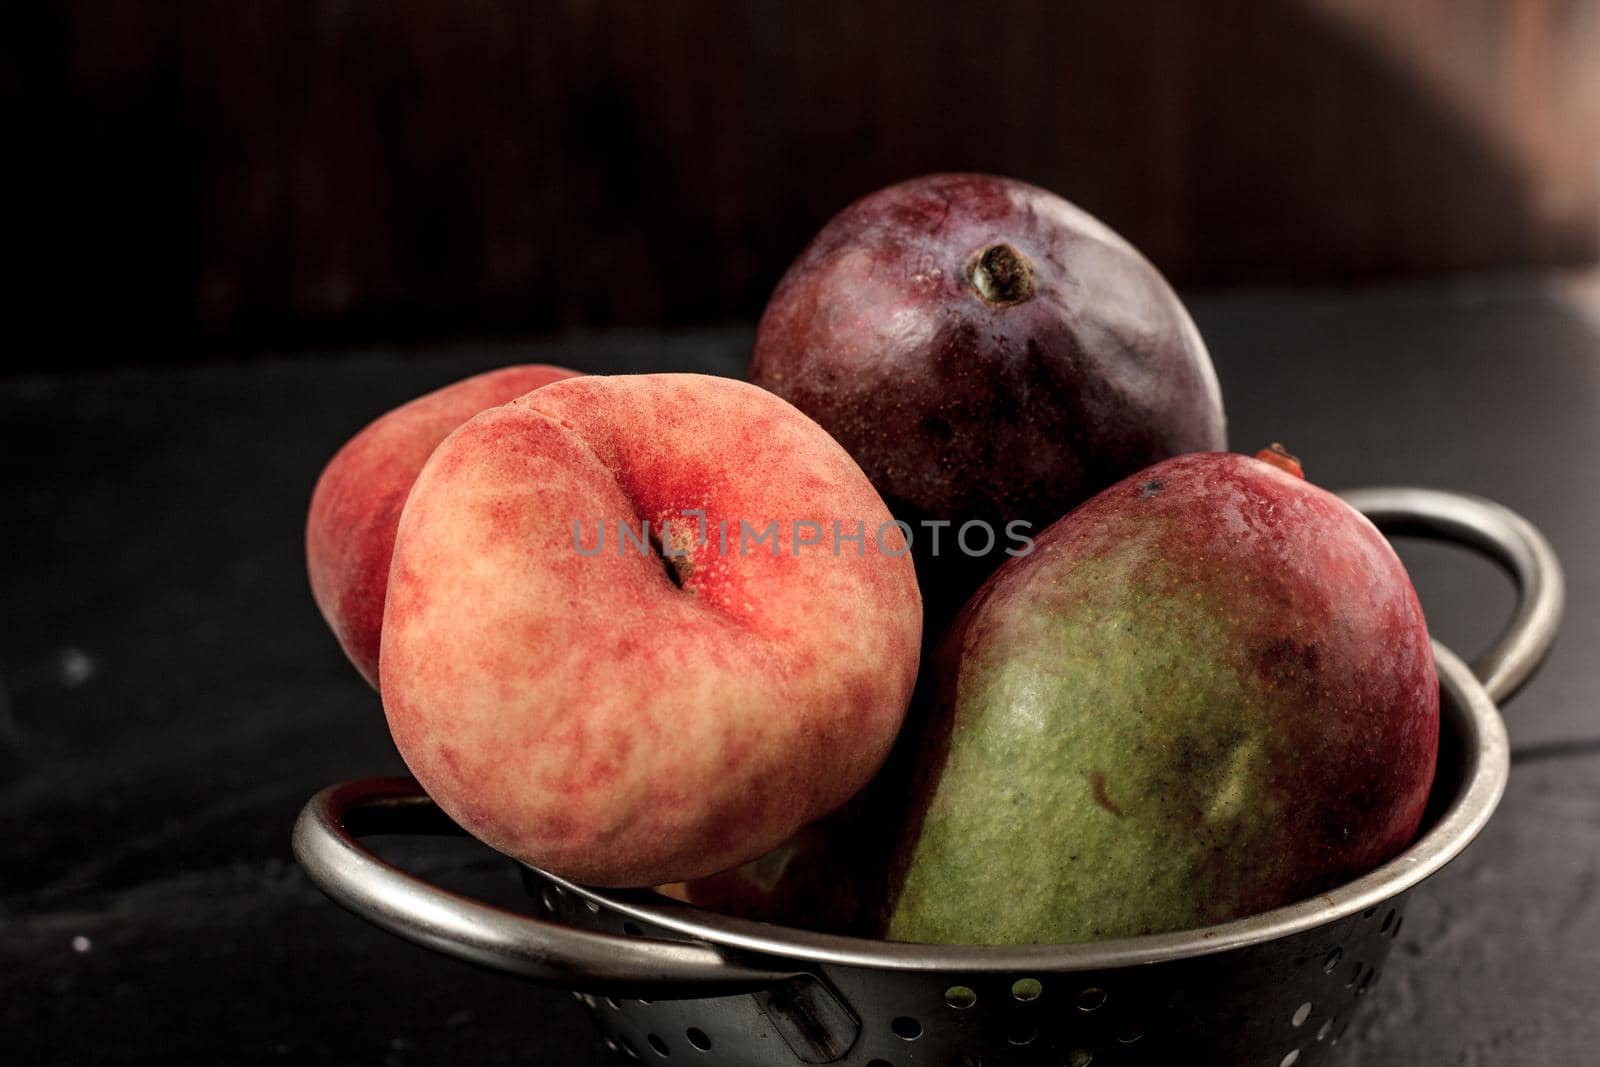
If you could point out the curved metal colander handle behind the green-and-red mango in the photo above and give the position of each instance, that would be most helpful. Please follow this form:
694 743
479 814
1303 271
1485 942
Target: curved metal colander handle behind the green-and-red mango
1505 537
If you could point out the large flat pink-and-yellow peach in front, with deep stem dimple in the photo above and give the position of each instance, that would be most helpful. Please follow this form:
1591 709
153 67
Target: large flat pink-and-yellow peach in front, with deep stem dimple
591 716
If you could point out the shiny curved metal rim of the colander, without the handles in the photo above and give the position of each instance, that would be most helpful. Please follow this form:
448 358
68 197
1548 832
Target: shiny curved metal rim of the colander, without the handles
1484 775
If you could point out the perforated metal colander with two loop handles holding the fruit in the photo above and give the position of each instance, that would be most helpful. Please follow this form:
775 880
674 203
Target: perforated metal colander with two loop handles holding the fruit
666 981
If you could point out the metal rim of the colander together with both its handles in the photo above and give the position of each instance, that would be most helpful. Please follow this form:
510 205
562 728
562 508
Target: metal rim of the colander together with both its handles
721 954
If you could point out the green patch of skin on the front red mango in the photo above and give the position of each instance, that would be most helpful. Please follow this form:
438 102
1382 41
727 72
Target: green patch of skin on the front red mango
1105 749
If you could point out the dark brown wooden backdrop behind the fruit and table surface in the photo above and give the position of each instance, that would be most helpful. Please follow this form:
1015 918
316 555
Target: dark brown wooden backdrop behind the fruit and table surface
186 180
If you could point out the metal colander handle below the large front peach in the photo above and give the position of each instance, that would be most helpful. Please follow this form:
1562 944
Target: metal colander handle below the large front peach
327 845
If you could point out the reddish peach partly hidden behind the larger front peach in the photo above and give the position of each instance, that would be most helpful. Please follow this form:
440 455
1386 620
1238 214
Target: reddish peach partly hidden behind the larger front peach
356 506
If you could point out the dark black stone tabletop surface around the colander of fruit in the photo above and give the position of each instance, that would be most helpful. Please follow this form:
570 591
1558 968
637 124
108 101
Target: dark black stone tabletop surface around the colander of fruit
169 697
